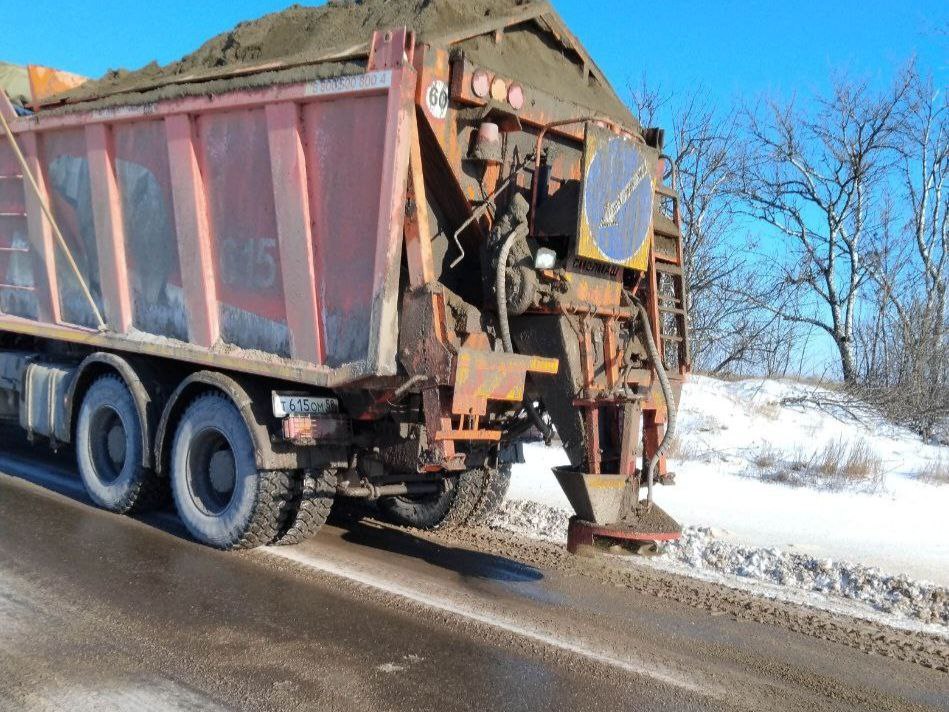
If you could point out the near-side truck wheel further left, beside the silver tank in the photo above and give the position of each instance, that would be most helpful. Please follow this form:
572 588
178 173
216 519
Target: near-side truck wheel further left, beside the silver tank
109 450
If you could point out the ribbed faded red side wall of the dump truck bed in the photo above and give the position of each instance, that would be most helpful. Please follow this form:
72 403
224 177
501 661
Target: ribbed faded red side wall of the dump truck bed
258 230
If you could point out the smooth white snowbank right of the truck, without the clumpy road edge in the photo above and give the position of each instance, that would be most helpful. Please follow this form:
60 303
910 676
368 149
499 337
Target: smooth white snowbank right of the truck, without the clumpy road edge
735 437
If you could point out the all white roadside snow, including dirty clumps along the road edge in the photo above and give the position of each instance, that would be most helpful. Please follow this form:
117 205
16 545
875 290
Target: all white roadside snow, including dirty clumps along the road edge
763 505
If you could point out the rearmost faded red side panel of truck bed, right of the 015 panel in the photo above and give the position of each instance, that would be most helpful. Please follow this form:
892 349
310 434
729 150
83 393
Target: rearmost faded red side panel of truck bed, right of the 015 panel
345 142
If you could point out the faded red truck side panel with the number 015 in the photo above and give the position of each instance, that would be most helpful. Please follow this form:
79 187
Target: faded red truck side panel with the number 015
236 168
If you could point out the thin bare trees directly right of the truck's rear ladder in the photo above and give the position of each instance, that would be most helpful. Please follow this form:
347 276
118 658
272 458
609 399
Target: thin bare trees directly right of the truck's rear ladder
727 333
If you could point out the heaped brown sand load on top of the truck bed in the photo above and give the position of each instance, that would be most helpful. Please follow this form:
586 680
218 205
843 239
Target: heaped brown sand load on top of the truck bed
305 43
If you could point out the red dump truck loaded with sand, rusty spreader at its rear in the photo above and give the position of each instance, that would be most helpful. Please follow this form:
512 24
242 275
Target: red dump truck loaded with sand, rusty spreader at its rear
262 282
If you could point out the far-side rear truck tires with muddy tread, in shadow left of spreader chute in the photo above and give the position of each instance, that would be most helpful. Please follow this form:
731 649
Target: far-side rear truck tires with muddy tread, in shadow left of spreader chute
469 500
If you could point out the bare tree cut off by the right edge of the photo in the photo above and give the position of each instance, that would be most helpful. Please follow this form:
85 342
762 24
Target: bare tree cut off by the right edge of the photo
906 349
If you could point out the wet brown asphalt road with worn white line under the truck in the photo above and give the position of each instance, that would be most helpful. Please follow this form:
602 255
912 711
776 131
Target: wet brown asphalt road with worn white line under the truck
103 612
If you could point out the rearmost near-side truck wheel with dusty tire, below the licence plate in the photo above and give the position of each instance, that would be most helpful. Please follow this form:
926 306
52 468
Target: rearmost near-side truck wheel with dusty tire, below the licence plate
223 500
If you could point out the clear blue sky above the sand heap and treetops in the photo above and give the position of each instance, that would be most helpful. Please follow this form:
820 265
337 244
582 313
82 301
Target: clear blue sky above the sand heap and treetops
731 48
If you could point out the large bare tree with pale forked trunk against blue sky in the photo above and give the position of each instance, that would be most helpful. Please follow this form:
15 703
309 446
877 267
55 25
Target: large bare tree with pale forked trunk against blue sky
815 178
